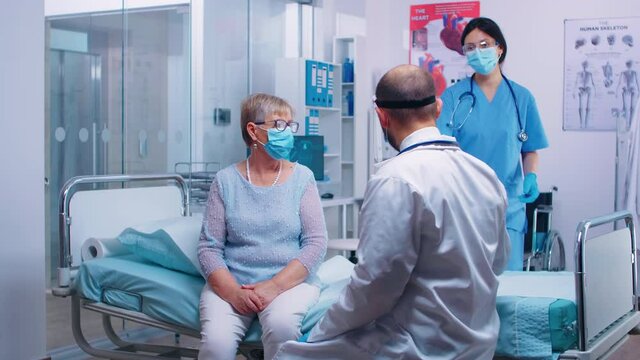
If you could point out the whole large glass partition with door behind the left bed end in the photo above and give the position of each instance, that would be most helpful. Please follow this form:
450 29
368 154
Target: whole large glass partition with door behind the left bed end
119 97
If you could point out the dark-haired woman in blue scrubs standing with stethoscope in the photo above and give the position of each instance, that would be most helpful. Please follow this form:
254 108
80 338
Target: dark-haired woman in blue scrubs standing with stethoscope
496 120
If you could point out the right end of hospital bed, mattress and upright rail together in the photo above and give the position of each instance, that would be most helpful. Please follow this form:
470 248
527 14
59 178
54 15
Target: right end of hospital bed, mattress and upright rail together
589 312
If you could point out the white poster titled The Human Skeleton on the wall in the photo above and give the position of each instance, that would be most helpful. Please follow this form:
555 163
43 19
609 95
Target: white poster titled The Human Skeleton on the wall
601 73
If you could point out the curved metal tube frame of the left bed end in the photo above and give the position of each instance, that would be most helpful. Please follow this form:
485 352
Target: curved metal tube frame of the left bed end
64 220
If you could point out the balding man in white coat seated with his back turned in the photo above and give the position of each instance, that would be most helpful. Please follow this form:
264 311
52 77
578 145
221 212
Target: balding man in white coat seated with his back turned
433 241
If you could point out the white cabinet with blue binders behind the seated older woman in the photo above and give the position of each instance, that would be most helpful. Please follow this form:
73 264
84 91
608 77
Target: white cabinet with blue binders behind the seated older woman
314 89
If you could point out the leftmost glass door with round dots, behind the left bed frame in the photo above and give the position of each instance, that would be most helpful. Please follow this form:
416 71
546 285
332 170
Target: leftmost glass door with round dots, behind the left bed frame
78 144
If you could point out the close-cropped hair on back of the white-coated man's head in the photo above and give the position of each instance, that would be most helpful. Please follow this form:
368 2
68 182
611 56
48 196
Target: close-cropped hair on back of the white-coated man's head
407 82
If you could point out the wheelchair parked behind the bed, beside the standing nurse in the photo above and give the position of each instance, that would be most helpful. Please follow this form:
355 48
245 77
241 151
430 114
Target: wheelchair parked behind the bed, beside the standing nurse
543 246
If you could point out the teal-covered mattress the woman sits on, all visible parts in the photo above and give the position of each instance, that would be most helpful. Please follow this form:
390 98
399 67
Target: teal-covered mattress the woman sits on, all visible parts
537 309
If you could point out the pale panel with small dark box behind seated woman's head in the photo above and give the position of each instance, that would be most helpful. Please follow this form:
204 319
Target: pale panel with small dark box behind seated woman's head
220 83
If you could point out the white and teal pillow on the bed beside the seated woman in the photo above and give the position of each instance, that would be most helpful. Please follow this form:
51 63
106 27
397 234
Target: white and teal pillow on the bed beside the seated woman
171 243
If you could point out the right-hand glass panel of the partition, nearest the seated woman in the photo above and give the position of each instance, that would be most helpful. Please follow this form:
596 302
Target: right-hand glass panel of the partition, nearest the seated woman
156 91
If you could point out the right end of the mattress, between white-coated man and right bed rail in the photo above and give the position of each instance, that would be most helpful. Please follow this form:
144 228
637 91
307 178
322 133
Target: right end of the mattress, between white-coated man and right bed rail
537 313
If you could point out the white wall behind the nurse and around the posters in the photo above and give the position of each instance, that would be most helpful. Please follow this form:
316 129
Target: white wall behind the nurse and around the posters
580 164
